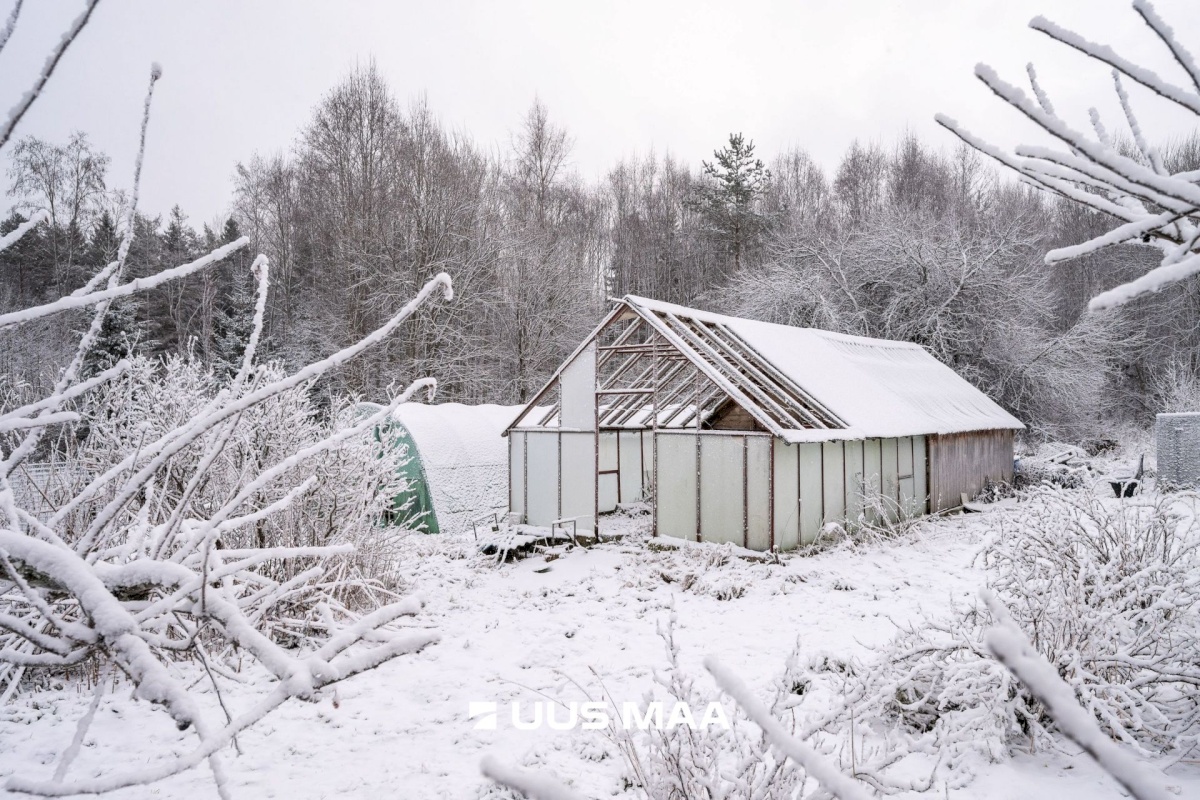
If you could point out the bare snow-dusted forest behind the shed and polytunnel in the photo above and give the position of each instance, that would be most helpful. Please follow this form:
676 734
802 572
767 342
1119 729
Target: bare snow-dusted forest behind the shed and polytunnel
905 240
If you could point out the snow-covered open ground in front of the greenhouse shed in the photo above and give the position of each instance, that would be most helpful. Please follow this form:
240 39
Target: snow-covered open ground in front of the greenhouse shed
539 629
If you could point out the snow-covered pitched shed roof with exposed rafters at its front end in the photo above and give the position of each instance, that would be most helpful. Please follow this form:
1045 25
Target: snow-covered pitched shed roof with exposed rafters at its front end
811 386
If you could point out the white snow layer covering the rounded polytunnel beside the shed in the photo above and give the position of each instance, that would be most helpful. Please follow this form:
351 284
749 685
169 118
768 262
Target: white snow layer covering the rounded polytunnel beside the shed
465 458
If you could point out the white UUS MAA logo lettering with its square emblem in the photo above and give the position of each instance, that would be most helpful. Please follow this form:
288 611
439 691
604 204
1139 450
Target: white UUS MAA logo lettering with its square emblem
533 715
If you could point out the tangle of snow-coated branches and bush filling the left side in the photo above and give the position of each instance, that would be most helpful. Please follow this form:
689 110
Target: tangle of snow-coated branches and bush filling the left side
187 537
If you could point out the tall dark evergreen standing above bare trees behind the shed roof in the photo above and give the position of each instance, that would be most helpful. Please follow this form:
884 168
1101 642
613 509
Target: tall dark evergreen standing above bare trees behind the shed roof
728 199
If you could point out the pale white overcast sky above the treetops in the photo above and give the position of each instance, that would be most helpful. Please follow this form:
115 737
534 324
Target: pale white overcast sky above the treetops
622 77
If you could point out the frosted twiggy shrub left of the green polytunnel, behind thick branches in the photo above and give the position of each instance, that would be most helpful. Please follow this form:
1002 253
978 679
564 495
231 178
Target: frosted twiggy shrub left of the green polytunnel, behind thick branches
351 485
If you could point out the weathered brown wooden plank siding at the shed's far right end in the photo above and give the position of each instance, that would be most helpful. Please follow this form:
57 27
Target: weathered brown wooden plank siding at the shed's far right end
961 464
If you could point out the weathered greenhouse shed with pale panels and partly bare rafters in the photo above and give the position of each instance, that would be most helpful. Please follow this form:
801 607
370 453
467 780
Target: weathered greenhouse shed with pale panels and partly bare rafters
747 432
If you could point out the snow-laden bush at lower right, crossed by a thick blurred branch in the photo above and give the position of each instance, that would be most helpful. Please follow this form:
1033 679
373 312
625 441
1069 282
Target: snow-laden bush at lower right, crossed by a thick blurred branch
1108 592
